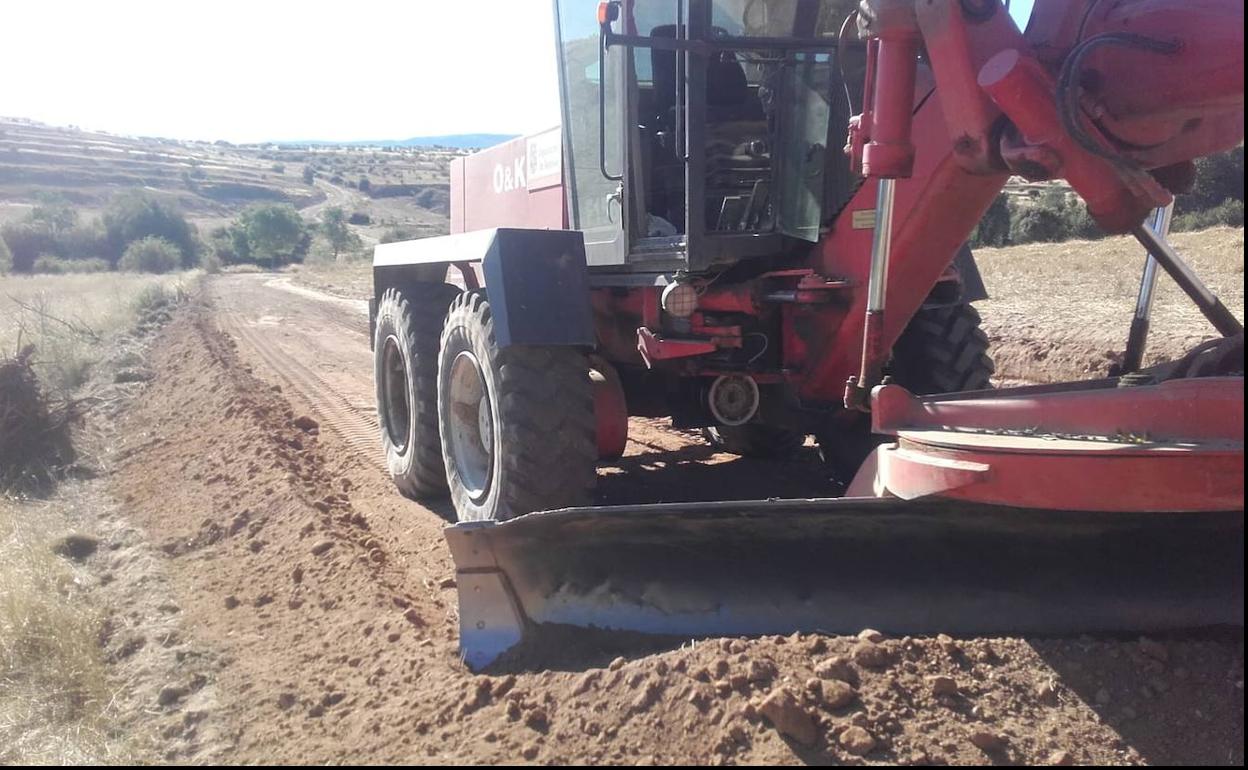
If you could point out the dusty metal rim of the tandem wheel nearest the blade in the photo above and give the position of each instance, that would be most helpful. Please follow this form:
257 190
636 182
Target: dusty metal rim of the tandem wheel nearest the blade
471 426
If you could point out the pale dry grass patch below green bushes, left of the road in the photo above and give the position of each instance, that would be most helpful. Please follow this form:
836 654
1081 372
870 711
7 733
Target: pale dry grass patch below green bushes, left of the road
68 318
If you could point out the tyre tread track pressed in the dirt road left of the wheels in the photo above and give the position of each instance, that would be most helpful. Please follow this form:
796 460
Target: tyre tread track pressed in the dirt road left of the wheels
351 422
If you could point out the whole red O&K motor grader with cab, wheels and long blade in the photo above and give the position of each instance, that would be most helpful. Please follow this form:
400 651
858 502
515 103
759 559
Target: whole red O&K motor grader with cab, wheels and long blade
695 244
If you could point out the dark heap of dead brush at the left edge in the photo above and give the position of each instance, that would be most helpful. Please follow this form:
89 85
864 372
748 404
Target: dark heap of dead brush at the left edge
34 434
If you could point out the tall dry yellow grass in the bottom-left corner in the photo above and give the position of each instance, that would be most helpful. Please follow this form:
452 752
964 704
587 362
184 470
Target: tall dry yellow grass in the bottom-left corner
54 690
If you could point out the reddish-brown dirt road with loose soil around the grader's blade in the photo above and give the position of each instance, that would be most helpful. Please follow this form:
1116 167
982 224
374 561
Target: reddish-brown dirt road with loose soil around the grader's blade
328 605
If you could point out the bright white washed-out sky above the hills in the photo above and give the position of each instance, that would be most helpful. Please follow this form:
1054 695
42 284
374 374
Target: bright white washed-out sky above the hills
265 71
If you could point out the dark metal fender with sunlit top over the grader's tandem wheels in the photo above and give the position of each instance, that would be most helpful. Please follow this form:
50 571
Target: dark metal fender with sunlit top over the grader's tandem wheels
537 280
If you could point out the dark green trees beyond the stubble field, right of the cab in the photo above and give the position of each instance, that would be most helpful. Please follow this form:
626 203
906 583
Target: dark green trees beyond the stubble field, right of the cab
1217 198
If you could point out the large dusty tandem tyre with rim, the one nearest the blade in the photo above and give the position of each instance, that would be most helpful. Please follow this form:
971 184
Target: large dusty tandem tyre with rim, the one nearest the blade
517 424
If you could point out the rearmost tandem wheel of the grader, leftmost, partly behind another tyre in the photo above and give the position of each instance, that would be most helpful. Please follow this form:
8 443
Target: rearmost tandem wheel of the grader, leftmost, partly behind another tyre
406 380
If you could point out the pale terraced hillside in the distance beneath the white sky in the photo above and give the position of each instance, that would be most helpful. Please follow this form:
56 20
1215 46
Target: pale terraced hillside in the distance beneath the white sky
212 183
